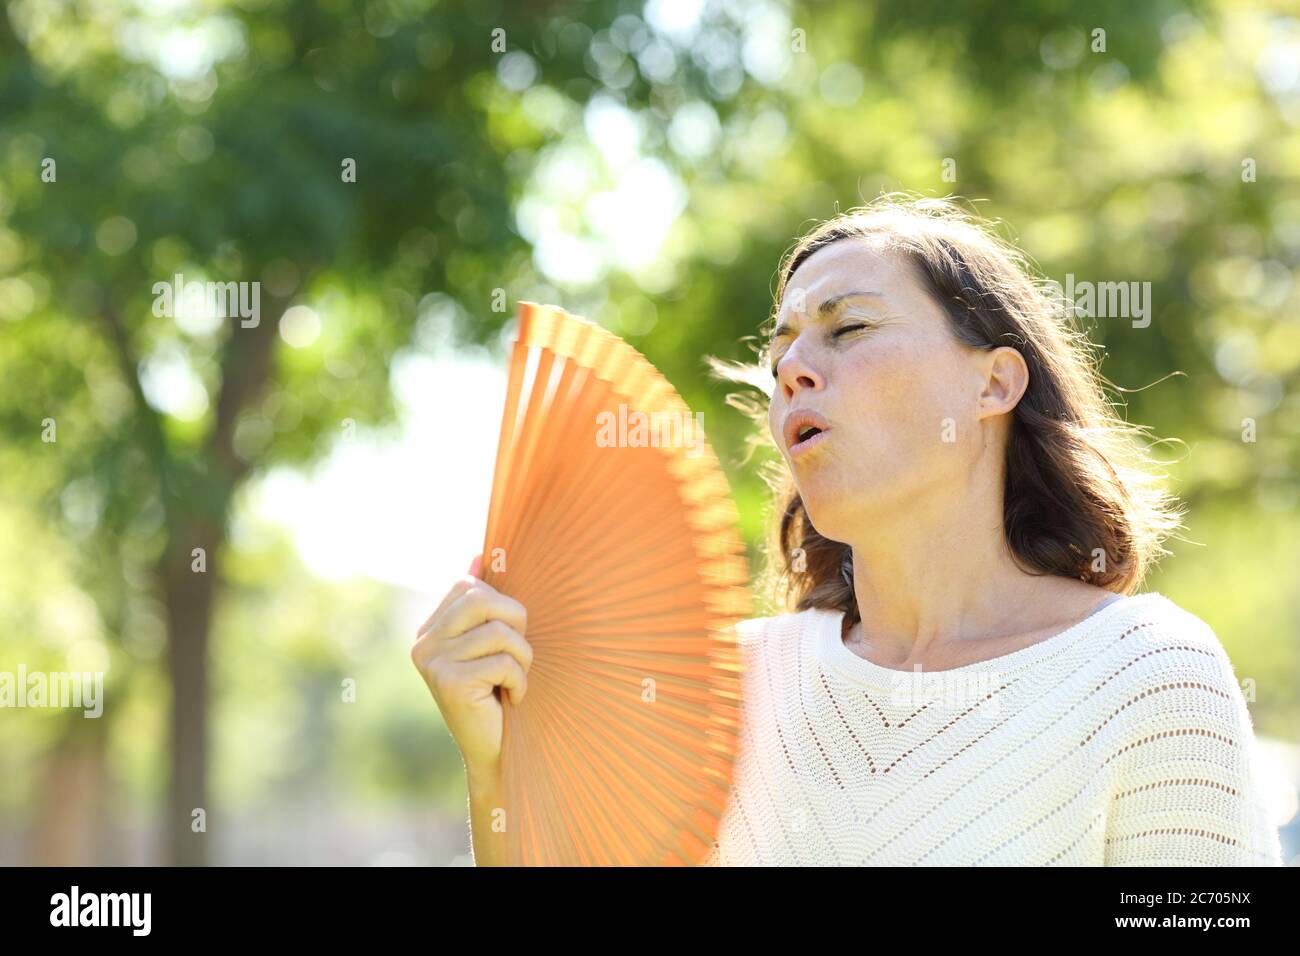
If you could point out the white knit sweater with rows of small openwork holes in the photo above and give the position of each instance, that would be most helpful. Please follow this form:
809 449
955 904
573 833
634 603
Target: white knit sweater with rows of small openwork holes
1124 741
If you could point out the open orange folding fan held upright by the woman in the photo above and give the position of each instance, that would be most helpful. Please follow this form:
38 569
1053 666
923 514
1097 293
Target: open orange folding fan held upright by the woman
612 522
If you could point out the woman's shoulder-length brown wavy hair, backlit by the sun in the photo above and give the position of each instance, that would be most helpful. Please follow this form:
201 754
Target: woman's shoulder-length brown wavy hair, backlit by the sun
1078 477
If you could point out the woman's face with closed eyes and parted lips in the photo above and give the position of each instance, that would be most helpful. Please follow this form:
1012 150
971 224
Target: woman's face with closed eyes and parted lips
861 344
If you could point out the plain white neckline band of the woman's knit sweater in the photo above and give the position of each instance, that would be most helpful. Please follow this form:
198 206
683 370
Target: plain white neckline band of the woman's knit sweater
833 651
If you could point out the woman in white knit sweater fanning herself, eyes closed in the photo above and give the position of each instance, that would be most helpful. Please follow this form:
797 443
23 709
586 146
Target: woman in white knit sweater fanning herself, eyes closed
967 676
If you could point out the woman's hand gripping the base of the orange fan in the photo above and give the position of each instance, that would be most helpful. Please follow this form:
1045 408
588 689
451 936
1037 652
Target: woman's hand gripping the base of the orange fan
469 648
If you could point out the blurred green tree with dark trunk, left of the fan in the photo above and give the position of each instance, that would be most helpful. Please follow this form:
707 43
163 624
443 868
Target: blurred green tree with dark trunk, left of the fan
231 162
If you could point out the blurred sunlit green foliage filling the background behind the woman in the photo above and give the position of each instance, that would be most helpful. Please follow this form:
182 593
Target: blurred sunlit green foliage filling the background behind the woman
226 165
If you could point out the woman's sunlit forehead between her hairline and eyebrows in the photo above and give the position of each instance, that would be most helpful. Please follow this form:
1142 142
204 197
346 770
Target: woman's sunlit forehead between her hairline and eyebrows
846 266
